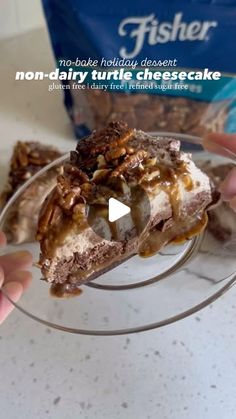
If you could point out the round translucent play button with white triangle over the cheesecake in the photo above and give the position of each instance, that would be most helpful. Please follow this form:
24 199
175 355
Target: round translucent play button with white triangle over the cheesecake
119 214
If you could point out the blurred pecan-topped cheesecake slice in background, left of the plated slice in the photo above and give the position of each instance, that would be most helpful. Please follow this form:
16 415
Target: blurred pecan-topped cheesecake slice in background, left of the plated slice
27 159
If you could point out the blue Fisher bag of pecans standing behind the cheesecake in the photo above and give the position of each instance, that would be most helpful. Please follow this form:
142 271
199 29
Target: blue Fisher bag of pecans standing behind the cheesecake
195 34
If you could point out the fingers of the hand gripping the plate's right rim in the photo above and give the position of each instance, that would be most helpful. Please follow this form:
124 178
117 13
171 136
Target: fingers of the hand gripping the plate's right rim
228 186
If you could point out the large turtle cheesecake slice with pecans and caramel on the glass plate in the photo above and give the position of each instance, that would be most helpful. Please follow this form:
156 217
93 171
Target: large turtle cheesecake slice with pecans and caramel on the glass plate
112 162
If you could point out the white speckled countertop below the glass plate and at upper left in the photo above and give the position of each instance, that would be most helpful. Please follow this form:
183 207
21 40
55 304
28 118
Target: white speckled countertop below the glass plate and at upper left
183 371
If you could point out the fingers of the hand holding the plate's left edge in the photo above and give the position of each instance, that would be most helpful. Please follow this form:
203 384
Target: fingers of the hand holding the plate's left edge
14 277
